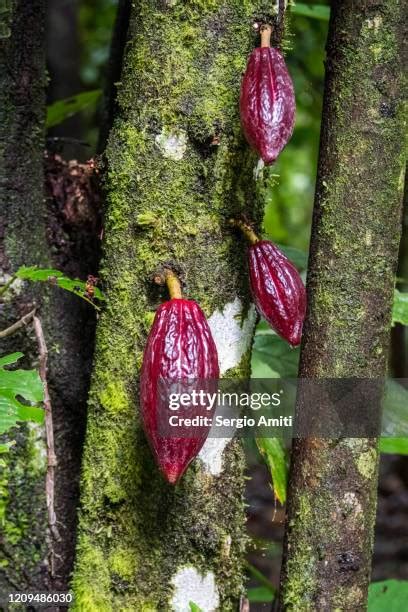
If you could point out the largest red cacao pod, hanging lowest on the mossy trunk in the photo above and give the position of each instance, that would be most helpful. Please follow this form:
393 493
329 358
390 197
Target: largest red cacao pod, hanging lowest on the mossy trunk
179 348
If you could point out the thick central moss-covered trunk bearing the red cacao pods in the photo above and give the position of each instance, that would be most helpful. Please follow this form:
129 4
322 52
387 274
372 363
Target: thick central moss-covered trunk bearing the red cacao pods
177 169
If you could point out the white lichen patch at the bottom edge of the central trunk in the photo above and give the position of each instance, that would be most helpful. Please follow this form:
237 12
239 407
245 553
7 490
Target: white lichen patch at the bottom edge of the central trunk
192 587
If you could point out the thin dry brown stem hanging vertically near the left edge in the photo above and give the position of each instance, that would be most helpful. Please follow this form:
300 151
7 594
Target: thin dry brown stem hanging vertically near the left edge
51 457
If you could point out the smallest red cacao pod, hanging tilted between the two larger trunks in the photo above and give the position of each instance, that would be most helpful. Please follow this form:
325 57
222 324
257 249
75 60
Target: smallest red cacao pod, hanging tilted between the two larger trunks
277 289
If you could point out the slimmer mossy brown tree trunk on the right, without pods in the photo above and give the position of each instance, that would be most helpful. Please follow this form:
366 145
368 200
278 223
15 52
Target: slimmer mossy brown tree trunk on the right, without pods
355 237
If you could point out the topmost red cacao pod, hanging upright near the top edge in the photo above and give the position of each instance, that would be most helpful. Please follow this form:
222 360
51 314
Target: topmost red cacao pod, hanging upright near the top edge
267 103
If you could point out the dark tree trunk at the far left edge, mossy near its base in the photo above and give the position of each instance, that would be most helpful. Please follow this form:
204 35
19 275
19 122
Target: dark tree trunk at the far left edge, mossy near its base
23 546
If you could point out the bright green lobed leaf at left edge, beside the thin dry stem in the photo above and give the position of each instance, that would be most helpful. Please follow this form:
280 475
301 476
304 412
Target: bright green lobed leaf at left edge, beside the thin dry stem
25 384
